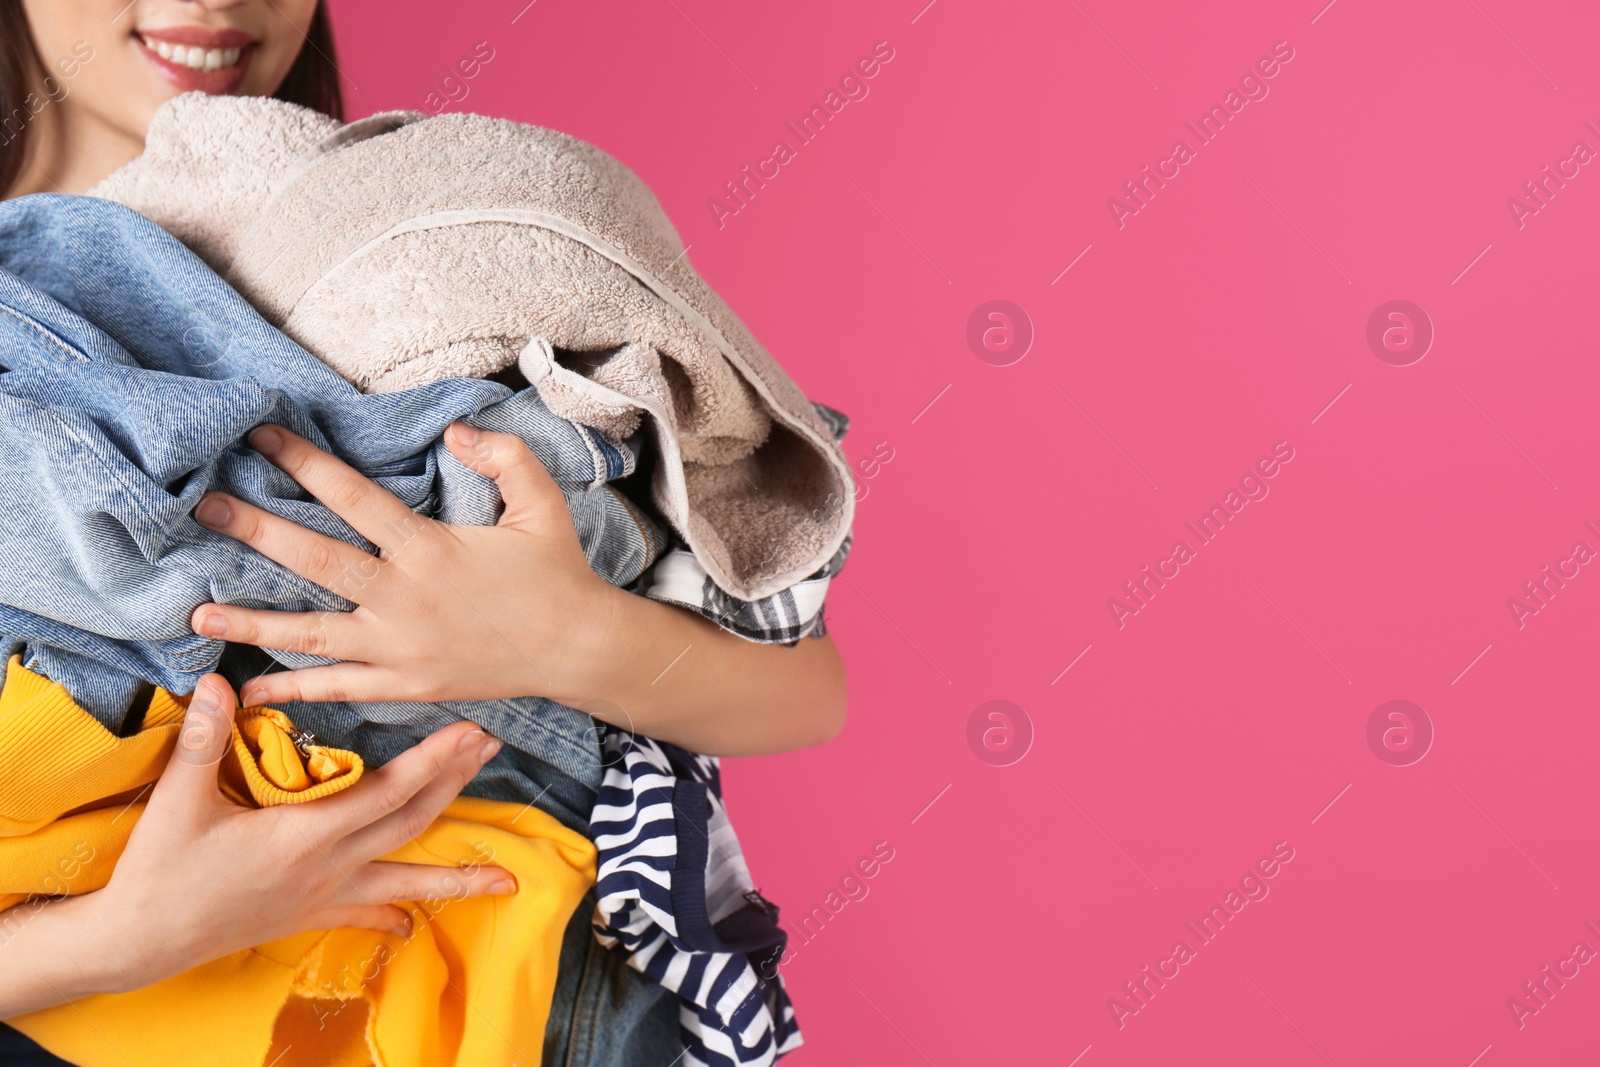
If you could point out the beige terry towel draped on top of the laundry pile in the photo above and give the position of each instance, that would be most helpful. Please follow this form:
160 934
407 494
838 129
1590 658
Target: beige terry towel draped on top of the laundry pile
402 250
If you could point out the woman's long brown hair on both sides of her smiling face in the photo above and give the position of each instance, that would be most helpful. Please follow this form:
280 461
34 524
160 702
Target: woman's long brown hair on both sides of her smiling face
313 82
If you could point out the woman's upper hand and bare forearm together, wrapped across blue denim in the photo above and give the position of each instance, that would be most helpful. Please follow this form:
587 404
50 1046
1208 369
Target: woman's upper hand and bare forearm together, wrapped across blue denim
463 613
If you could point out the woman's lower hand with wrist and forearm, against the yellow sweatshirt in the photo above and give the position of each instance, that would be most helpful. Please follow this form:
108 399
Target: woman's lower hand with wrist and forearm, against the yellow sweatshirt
204 877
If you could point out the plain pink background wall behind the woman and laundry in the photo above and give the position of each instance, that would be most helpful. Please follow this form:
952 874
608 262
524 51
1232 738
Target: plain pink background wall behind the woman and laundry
1225 318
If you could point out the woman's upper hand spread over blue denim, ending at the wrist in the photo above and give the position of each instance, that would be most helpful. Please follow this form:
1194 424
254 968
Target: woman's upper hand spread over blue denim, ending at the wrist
446 612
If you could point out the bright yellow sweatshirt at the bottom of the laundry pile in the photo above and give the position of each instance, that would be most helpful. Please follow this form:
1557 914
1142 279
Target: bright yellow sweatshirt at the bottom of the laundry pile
471 986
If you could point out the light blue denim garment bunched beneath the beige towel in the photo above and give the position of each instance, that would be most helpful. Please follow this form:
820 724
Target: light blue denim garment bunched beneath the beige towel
134 375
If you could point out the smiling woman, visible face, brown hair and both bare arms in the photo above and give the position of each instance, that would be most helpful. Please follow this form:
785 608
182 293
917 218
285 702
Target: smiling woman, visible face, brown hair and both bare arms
458 613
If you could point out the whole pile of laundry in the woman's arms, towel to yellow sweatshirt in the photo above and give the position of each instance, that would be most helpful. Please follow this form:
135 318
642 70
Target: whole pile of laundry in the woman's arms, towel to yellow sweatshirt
366 286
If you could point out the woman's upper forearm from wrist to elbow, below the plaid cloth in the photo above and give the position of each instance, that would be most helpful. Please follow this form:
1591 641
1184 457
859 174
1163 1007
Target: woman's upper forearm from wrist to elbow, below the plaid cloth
679 677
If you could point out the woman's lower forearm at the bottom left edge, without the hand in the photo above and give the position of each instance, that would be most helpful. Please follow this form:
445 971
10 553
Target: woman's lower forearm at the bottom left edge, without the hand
52 954
